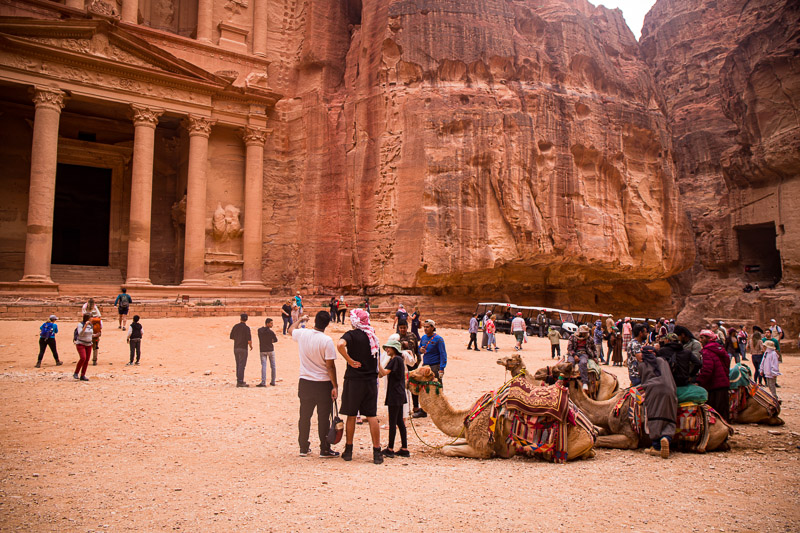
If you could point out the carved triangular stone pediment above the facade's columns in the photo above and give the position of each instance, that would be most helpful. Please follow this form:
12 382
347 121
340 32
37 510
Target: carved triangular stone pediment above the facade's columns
87 40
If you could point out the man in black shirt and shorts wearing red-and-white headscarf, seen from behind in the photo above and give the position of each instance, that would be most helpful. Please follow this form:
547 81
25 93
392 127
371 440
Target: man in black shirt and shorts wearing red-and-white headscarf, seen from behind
361 350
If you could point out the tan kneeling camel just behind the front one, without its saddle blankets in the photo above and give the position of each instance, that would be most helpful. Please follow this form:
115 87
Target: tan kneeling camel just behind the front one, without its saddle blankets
619 432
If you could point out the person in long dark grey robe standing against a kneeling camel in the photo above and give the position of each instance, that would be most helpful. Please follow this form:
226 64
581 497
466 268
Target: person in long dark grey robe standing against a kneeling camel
660 400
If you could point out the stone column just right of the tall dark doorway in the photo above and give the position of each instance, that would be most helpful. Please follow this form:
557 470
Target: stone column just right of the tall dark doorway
145 120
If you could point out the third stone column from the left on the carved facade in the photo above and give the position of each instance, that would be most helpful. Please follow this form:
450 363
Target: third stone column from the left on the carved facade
195 236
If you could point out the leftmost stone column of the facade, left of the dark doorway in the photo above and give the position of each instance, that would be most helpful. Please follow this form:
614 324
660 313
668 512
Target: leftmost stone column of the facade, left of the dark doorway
41 196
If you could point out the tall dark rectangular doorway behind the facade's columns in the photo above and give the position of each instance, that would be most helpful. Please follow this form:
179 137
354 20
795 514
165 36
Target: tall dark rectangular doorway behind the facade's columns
81 217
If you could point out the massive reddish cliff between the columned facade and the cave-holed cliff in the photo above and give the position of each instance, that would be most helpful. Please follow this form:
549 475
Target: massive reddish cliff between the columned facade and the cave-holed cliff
452 146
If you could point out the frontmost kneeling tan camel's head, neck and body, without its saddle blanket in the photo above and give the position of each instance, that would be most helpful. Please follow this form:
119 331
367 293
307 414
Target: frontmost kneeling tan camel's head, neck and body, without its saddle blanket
476 442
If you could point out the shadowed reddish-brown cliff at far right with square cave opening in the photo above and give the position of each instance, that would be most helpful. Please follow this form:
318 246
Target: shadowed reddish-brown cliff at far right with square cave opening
729 73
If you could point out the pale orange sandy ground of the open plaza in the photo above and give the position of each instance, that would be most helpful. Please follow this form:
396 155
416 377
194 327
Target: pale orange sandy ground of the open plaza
167 446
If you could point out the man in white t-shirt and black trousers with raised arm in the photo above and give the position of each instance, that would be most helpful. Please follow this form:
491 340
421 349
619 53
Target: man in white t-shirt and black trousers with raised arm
318 388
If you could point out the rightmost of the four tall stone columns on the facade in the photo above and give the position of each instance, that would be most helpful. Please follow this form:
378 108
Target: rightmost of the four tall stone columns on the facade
254 139
